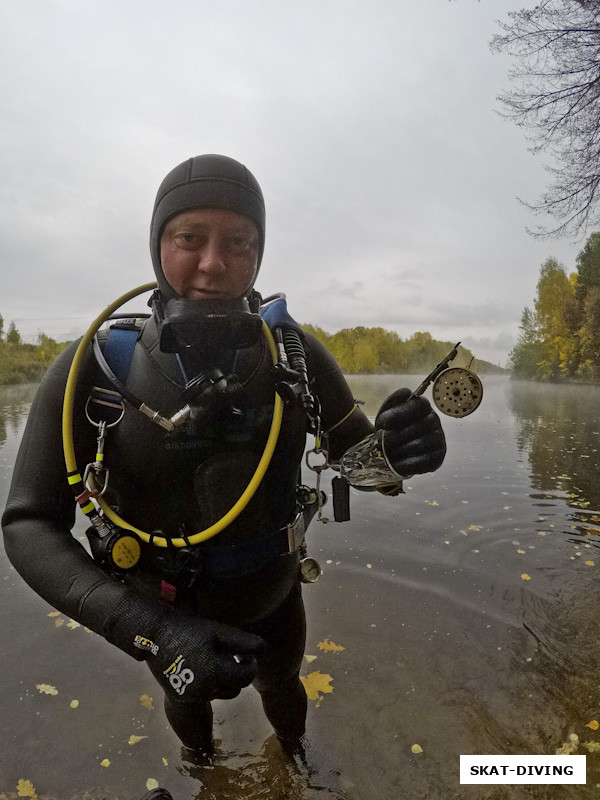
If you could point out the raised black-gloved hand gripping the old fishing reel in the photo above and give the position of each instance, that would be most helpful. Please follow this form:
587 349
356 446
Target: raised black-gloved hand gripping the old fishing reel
413 439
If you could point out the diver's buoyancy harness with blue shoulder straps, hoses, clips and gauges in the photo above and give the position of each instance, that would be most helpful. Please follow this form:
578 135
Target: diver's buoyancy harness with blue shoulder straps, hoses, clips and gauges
111 539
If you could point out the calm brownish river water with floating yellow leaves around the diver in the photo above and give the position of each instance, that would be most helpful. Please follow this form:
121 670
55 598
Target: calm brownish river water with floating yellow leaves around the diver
467 610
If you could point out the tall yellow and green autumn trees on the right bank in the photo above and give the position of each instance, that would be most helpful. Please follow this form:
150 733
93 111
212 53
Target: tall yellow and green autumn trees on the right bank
559 337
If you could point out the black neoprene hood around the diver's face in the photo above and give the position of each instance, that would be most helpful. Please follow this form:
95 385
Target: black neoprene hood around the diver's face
207 181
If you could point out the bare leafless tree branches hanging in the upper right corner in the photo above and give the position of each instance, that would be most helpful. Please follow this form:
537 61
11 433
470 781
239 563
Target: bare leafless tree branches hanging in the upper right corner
556 97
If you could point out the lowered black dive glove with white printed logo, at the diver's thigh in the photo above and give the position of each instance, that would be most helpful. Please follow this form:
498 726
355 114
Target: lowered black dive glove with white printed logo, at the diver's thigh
191 657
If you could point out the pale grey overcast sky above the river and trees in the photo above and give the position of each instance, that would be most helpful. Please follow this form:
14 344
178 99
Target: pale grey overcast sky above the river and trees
390 180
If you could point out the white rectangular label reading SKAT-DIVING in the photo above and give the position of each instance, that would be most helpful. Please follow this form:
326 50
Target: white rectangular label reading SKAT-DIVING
522 769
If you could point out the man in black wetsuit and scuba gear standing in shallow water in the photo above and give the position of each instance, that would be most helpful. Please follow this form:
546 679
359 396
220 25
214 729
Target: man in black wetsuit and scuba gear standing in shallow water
209 614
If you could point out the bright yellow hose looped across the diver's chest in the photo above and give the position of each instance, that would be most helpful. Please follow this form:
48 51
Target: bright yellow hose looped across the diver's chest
69 449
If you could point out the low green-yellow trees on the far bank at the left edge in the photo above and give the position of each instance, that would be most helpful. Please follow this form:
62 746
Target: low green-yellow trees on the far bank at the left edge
25 363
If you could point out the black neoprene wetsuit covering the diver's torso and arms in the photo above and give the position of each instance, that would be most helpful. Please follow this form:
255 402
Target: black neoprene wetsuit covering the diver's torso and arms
178 482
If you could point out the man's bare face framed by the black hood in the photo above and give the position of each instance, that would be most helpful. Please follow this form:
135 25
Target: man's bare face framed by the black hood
209 254
